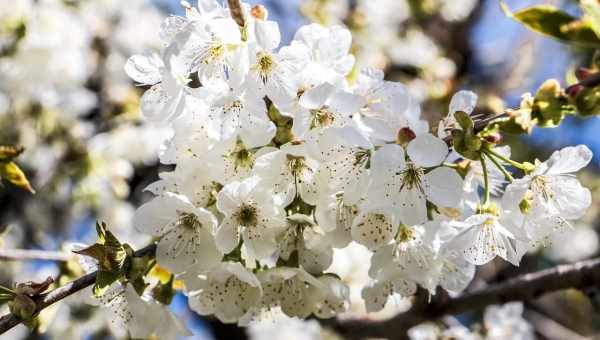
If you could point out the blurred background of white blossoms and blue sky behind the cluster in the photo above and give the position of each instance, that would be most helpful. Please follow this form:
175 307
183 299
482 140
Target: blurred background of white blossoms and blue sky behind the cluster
65 97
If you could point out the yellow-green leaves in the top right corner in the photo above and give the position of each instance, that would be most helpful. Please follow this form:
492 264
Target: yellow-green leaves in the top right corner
552 22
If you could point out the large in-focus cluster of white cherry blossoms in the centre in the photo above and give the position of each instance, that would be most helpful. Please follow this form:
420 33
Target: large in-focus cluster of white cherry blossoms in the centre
279 157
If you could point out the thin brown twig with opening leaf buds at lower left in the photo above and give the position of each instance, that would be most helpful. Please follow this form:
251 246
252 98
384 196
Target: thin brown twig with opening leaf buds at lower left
42 301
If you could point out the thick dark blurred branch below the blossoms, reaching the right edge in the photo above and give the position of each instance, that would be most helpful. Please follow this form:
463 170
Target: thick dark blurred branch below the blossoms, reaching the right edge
522 288
